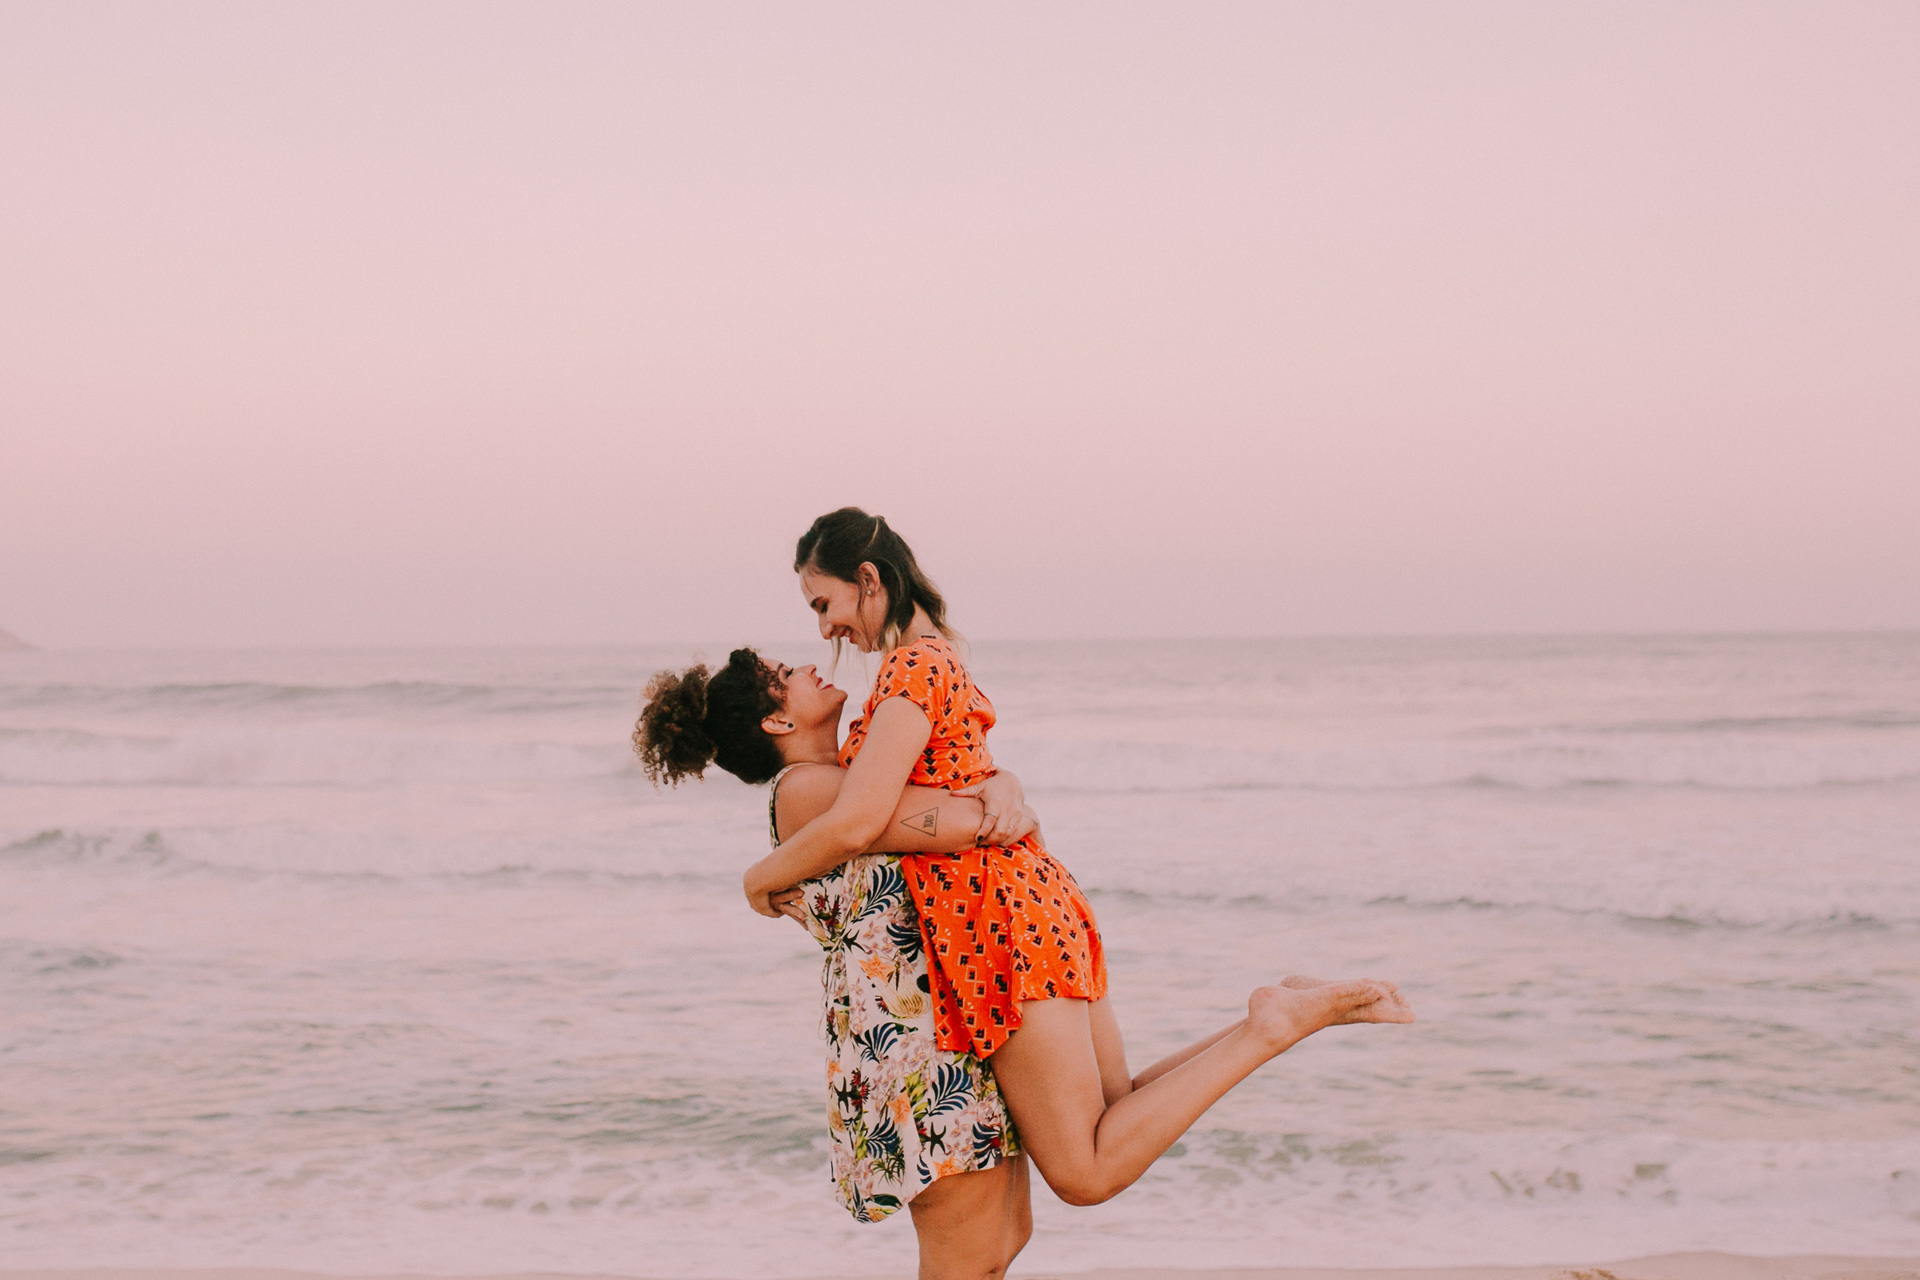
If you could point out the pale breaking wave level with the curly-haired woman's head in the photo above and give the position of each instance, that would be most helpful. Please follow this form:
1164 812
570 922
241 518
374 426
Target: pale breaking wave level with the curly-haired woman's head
341 755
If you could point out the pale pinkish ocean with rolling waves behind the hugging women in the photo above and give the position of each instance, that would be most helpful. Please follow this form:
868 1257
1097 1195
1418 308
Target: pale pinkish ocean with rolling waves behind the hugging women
391 960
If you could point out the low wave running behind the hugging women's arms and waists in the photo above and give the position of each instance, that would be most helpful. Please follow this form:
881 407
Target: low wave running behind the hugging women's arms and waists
698 870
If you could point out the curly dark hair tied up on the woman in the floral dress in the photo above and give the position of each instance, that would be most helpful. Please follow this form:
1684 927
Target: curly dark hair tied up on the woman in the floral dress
696 719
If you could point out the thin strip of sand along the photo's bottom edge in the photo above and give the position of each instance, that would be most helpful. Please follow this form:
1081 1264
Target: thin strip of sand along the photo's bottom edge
1654 1268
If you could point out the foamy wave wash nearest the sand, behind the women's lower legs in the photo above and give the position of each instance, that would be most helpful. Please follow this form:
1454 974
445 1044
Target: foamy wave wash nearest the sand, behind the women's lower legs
1224 1198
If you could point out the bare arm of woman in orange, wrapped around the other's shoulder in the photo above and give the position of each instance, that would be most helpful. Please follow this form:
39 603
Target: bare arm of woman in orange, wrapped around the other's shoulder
867 799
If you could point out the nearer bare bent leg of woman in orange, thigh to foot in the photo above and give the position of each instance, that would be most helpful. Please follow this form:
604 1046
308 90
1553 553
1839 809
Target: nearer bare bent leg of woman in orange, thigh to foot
1057 1089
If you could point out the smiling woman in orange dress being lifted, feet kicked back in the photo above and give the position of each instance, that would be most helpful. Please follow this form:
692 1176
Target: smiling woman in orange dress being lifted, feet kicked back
1013 945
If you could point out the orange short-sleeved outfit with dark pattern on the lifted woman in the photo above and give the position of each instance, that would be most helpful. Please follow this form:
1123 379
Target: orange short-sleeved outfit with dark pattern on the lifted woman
1003 924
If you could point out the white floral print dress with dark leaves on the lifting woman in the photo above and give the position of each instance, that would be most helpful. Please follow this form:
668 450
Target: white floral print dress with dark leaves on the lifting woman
901 1112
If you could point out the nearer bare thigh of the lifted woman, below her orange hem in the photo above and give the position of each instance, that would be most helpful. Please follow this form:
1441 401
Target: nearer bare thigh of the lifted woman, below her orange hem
1051 1081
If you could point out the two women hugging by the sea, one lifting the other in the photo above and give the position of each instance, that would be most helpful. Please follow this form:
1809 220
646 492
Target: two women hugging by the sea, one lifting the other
967 989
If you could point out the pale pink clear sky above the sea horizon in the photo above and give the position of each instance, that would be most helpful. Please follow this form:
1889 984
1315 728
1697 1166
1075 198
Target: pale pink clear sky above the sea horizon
560 321
